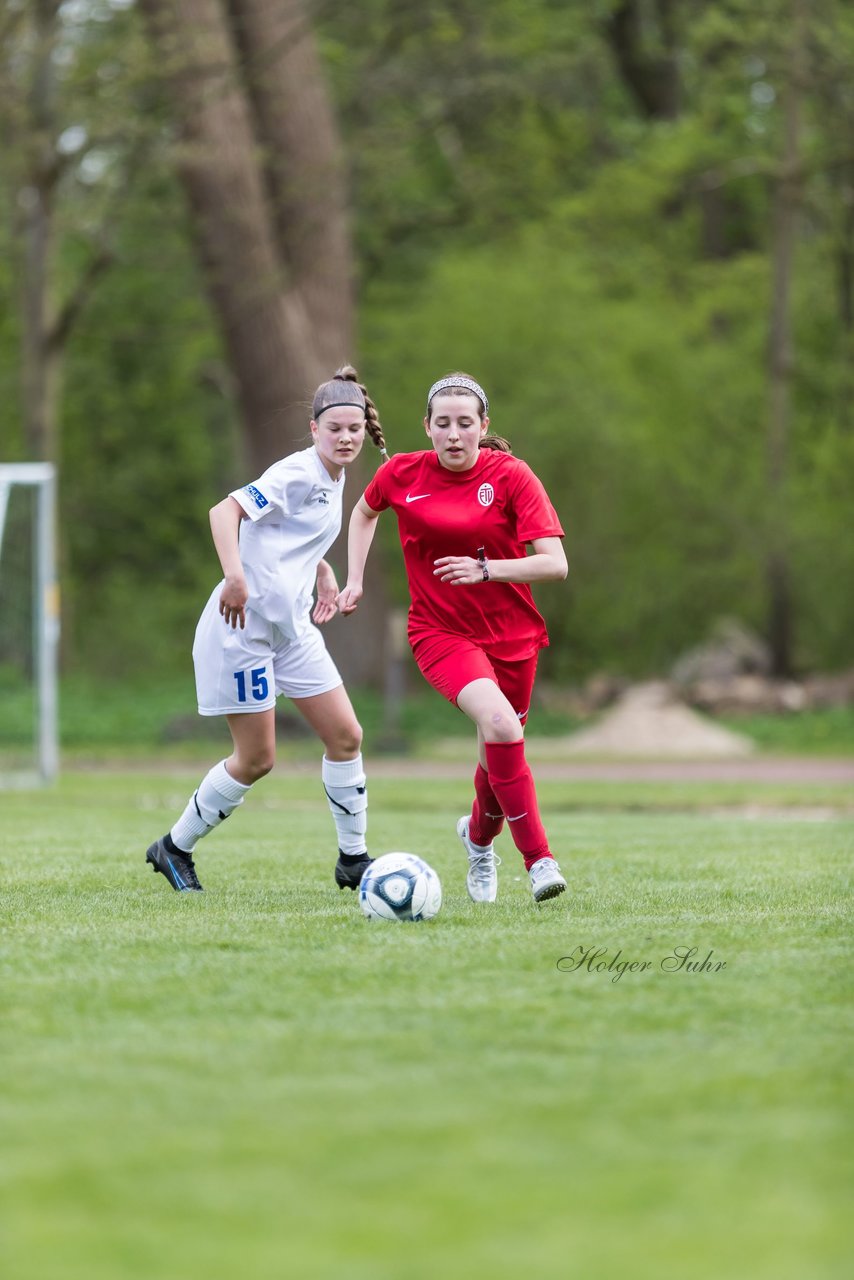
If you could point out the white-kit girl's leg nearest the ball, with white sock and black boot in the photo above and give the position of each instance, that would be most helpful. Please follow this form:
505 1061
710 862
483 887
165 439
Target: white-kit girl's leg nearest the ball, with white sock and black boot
334 720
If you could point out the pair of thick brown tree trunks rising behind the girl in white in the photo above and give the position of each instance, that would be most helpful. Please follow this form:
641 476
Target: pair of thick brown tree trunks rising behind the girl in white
262 167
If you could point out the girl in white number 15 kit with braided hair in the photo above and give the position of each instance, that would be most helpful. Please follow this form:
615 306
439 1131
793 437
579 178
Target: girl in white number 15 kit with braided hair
257 638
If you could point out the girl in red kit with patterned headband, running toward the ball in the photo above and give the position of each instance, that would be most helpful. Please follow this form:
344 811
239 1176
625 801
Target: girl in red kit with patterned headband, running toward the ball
467 510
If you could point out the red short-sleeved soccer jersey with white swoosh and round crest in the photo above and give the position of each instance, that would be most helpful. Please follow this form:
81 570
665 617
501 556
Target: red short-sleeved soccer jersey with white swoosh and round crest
499 505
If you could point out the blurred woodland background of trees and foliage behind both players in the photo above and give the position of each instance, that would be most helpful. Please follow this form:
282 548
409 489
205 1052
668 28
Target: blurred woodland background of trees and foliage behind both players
632 221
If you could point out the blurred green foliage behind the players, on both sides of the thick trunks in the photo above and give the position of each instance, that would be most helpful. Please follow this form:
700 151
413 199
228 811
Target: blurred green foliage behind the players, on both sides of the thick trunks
605 273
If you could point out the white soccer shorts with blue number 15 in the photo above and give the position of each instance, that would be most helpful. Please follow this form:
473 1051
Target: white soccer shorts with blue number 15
245 671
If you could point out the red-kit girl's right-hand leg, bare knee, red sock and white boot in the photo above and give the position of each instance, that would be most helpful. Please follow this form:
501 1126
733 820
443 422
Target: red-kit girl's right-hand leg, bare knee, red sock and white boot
501 737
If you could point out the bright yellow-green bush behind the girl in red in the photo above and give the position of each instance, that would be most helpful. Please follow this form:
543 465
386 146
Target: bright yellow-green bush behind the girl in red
636 388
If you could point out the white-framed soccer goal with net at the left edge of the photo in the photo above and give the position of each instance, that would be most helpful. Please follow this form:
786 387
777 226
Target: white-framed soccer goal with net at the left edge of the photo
29 625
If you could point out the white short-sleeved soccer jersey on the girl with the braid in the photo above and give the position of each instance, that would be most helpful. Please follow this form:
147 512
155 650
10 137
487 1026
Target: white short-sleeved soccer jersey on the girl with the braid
294 519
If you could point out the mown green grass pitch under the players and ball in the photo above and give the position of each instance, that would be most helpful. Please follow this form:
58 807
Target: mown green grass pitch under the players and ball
258 1082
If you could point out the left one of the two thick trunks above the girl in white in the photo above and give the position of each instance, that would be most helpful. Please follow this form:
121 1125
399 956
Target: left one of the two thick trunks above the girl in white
266 326
